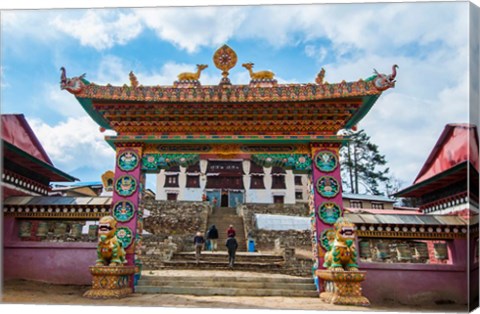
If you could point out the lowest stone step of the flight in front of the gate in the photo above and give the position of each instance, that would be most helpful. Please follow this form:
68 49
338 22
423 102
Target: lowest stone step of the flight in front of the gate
202 291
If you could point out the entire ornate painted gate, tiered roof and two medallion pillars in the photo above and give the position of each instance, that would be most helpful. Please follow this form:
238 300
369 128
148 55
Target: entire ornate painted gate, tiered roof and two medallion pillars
293 126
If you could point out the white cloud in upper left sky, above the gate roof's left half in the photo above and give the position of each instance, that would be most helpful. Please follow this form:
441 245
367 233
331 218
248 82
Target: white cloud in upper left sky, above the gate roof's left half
100 29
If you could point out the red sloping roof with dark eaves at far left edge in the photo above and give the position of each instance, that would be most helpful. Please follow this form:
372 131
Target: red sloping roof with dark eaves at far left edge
23 147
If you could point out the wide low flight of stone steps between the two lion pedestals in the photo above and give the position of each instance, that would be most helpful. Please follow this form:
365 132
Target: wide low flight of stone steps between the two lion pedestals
207 283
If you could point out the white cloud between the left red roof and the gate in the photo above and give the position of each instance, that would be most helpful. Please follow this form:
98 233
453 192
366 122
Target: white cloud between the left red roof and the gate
75 143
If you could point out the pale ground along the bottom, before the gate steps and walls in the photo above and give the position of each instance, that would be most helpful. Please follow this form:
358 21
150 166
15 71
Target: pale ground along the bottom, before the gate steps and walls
28 292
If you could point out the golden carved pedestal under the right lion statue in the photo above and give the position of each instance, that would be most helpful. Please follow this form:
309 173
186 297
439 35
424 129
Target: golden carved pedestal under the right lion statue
342 287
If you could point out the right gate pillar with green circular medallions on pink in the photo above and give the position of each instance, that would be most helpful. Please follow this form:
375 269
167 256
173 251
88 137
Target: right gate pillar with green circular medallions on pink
327 194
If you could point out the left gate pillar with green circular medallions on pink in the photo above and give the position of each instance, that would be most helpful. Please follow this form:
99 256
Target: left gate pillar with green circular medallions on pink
128 186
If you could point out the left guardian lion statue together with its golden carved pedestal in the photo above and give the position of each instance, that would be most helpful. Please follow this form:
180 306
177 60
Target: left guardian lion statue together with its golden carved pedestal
110 278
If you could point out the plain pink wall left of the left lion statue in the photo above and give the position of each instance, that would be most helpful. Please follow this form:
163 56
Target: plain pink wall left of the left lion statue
59 263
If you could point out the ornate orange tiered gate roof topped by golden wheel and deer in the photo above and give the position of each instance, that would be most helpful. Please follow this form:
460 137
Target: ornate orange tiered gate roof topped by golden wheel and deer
260 107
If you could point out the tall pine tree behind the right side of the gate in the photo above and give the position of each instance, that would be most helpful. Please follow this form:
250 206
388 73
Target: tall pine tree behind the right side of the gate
363 167
